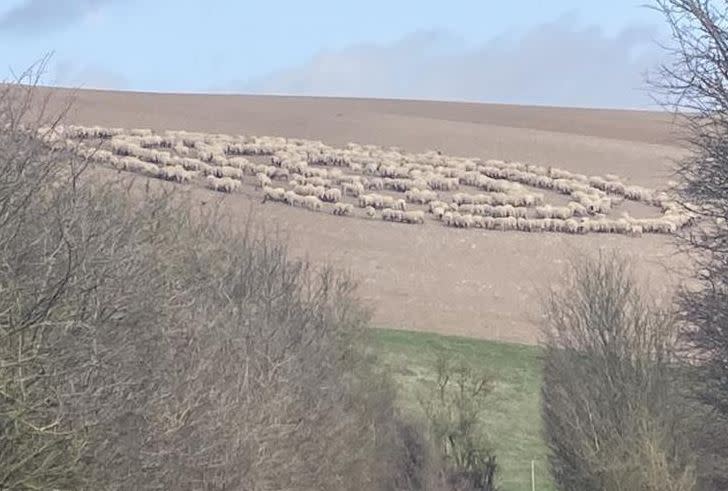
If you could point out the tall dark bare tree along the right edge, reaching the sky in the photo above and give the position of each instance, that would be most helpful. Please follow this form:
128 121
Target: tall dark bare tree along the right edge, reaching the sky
695 85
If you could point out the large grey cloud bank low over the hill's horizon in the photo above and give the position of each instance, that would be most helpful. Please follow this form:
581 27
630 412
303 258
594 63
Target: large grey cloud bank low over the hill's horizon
556 63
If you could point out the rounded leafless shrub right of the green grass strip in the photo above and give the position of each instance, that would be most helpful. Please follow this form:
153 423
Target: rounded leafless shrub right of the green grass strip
612 419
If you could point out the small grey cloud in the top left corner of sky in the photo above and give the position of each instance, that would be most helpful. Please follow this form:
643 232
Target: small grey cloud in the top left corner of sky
33 16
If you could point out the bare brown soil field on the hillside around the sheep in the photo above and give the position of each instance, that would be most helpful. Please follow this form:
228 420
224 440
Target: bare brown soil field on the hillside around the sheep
476 283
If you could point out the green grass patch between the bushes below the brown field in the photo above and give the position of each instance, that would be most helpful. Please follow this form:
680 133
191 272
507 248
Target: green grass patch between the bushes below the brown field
511 417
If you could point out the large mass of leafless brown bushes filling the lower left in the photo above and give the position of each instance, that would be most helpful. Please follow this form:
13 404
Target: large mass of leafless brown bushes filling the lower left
149 344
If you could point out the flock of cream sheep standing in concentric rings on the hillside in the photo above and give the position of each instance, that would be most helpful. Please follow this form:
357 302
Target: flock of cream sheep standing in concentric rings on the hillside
386 183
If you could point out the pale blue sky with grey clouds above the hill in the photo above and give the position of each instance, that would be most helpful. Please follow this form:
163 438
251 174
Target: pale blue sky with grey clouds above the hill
561 52
